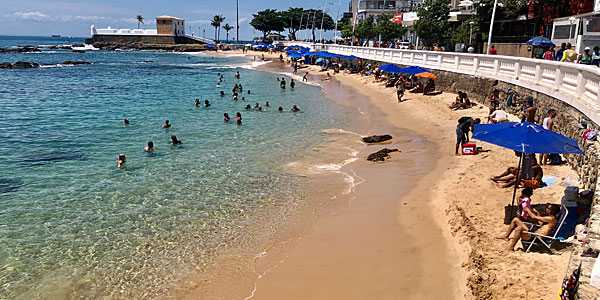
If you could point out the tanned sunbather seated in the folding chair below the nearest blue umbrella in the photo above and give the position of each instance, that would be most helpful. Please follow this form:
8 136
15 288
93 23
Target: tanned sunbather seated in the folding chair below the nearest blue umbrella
520 229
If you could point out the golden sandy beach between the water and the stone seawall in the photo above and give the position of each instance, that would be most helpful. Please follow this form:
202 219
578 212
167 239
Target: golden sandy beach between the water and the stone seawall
420 226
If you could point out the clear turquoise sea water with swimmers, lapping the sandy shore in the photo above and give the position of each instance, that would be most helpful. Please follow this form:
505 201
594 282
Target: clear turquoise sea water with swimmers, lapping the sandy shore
74 226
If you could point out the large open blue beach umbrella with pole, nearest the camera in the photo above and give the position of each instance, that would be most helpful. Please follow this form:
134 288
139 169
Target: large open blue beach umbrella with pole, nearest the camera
525 137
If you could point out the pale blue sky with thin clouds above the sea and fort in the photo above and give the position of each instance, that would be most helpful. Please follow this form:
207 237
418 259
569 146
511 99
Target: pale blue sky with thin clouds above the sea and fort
74 18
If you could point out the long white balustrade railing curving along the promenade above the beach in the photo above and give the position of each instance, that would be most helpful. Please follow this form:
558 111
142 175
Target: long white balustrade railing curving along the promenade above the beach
575 84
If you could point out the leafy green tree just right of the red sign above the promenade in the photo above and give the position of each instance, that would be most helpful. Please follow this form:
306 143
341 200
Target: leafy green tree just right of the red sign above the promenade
433 25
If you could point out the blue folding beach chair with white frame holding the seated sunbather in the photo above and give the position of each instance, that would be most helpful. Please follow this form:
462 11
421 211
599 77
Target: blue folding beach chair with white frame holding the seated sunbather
567 220
